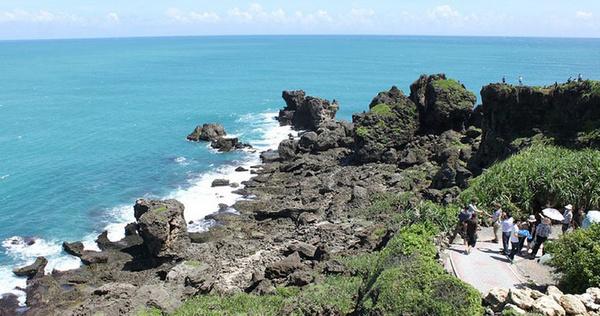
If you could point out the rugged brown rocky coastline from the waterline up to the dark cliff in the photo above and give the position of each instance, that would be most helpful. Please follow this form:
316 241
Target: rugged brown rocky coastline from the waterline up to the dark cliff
306 205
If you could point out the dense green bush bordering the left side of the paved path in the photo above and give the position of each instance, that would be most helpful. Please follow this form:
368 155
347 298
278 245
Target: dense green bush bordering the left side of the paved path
405 279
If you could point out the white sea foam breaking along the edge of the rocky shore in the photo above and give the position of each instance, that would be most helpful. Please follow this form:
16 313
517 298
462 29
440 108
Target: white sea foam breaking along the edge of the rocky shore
198 196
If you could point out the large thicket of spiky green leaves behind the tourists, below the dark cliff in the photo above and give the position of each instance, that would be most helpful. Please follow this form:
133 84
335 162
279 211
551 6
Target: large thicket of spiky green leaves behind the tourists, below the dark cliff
540 176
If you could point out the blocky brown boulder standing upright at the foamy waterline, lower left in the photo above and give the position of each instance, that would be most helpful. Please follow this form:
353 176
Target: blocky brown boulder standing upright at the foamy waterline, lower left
162 226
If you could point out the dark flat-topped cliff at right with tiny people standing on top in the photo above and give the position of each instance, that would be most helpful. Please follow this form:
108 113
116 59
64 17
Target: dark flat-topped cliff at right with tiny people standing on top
515 116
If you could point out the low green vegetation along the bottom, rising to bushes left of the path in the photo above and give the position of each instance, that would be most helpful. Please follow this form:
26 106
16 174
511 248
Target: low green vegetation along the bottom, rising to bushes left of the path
403 278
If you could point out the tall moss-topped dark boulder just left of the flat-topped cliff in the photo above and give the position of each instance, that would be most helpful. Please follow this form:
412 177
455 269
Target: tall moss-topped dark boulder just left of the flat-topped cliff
443 103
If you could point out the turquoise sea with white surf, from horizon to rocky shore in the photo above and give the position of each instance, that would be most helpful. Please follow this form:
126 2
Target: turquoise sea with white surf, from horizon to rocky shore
88 126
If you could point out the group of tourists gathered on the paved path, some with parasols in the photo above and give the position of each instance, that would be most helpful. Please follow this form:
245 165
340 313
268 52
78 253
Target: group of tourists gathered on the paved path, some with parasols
532 231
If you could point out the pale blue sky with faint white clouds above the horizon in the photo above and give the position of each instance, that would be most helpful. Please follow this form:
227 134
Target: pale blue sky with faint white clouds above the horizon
42 19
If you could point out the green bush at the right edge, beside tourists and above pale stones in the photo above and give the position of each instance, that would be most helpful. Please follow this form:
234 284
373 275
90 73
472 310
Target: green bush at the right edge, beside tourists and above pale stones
576 256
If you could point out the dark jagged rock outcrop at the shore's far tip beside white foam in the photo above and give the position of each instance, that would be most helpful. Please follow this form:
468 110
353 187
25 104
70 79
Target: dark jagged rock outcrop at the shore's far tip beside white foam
305 112
